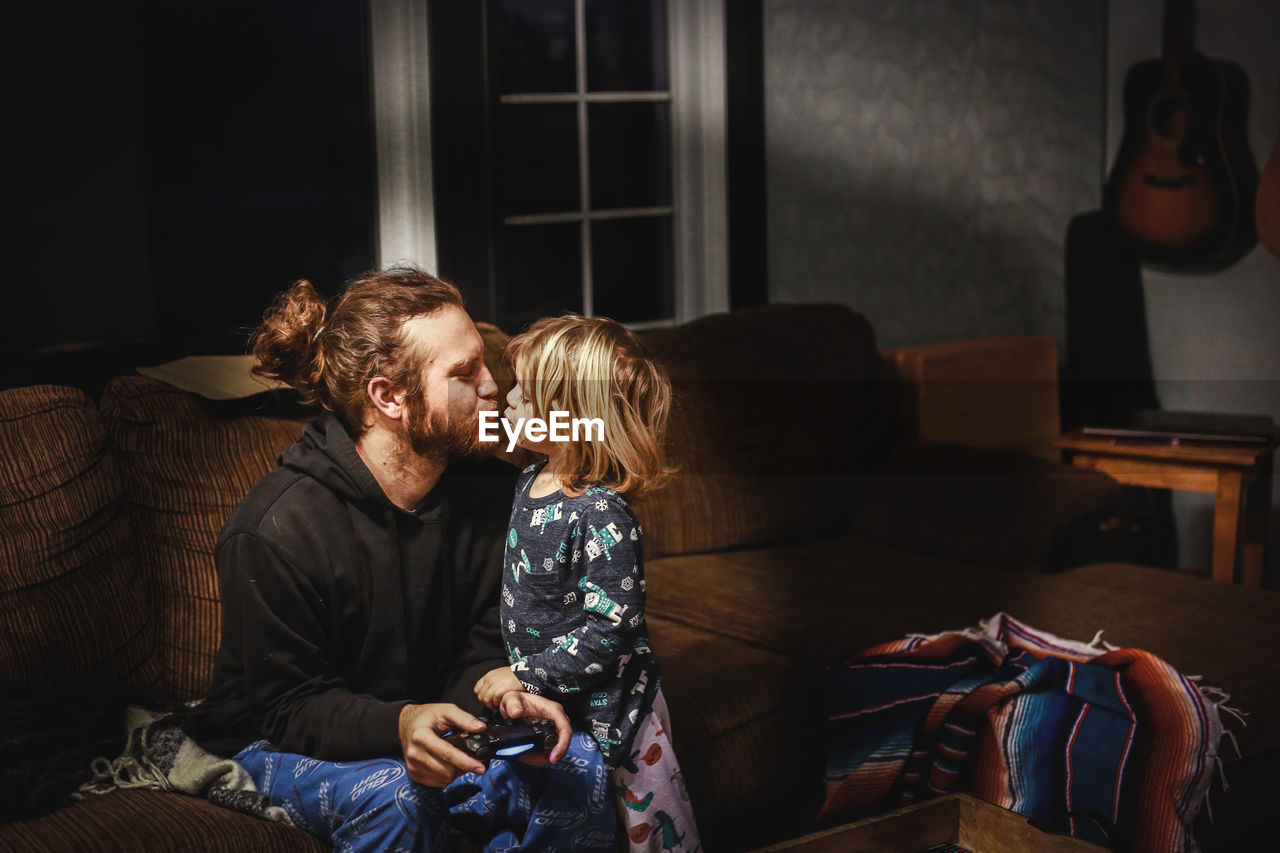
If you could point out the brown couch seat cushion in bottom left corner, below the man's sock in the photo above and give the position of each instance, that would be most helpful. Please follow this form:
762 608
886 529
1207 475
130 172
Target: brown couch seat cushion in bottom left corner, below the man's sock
147 820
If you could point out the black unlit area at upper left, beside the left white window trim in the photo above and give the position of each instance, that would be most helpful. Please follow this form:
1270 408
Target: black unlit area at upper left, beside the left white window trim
180 165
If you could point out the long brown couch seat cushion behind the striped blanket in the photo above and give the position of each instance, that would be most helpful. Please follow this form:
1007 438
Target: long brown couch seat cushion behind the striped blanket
825 600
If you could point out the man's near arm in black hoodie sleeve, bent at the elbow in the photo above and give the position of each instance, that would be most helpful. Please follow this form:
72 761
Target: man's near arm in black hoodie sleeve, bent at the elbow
281 624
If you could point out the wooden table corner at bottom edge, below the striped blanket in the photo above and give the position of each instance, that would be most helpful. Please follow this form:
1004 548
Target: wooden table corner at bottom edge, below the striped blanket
957 819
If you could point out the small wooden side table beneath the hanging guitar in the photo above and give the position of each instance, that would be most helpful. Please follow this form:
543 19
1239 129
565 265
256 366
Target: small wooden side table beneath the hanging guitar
1240 476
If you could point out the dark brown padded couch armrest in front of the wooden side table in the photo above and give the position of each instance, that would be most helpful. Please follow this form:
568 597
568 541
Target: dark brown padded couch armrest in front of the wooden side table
1000 509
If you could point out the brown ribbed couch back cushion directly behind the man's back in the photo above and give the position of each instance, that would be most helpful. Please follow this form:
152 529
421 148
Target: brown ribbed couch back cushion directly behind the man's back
186 464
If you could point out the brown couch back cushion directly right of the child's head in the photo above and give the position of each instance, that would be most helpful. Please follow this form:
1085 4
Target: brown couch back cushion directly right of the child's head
776 409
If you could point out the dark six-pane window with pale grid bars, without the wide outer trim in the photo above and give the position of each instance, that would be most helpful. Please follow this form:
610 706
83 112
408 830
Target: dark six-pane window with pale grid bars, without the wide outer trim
583 159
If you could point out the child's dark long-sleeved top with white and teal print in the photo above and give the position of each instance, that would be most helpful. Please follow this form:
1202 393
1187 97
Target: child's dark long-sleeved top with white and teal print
573 610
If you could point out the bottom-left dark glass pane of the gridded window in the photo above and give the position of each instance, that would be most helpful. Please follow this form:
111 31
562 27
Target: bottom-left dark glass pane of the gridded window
541 273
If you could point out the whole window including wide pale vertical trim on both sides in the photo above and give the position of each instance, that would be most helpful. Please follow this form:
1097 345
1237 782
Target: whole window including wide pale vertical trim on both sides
577 153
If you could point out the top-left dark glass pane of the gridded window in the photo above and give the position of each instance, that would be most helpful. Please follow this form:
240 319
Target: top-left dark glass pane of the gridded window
533 42
